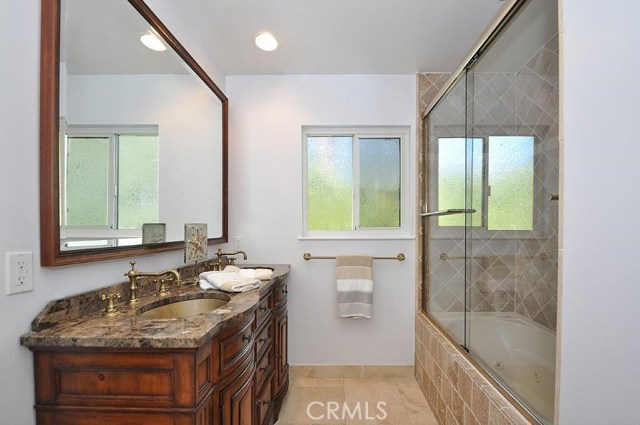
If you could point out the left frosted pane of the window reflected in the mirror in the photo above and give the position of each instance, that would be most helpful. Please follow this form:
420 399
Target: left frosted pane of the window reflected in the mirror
87 189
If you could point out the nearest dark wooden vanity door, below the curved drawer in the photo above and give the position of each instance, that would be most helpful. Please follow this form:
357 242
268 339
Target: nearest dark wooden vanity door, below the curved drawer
236 398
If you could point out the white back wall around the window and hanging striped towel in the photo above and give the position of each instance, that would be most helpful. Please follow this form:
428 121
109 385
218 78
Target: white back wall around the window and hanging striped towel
265 189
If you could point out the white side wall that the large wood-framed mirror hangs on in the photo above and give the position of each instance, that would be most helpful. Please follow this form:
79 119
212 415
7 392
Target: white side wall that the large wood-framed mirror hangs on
19 222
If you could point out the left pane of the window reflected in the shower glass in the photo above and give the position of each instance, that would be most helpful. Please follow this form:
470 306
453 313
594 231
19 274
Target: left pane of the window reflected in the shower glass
451 179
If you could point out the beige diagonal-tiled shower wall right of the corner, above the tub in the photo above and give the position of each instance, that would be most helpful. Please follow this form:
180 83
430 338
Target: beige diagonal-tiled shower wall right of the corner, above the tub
537 85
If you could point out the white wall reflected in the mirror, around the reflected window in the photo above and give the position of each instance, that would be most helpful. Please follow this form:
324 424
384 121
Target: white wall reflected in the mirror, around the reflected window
190 137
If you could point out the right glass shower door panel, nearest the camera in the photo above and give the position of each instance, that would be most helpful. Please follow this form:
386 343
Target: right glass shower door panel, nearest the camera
512 92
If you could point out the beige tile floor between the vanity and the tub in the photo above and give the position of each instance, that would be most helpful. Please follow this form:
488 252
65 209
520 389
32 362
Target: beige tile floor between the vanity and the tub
404 403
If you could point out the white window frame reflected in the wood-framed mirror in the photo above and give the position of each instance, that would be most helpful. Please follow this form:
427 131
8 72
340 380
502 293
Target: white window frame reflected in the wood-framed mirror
110 132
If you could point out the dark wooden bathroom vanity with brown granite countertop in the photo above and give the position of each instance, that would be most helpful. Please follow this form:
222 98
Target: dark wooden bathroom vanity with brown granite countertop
224 367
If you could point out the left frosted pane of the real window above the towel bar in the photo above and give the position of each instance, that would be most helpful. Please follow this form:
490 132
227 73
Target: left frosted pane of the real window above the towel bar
329 183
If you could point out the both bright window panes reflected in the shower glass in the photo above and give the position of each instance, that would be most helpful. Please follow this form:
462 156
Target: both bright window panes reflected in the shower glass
502 181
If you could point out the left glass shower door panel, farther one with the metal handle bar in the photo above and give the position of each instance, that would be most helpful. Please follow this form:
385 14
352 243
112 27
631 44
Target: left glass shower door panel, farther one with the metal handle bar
449 211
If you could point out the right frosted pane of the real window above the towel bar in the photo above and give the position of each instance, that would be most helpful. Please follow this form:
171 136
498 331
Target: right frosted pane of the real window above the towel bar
380 182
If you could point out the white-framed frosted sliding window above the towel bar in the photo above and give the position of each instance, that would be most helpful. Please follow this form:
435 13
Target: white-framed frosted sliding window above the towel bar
354 181
